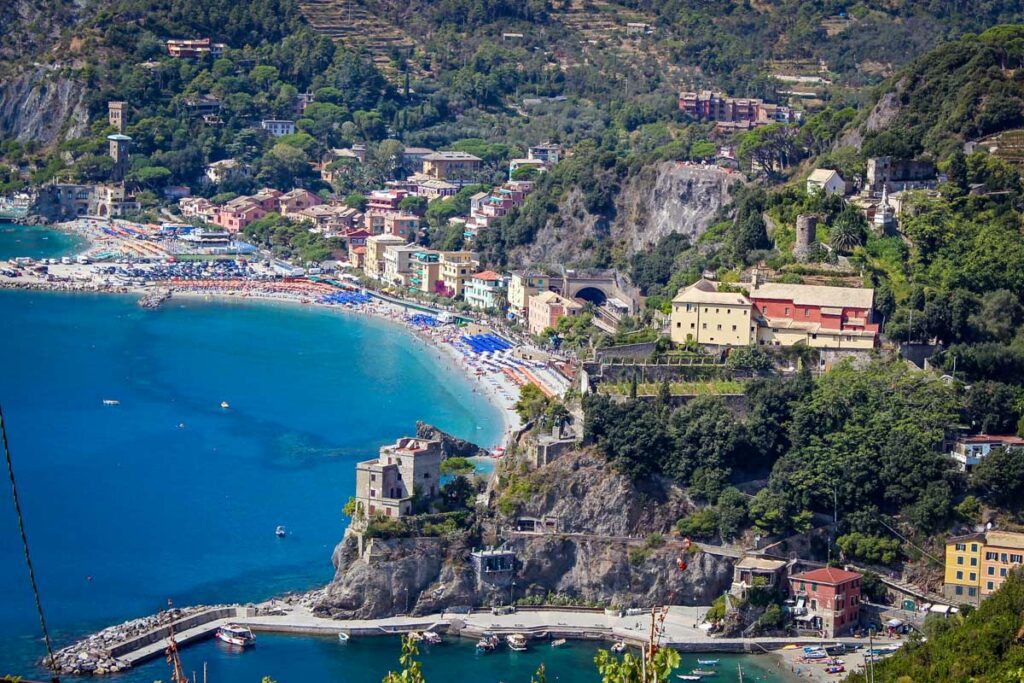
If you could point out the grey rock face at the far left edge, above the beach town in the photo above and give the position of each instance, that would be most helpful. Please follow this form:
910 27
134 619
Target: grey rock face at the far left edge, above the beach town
42 105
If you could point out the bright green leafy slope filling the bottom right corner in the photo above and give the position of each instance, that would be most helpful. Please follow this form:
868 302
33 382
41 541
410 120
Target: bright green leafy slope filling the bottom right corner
985 648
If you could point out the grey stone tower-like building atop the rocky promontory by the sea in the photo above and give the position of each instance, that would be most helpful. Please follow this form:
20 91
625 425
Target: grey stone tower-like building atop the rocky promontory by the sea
386 486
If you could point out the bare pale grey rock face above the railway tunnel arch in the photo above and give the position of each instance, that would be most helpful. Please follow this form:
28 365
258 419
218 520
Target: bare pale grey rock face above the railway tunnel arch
661 199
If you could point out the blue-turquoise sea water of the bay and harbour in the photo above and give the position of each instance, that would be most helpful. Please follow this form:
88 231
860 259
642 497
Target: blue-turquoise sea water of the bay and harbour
167 496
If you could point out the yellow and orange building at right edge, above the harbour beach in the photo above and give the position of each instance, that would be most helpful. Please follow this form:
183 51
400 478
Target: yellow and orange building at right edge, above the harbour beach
977 565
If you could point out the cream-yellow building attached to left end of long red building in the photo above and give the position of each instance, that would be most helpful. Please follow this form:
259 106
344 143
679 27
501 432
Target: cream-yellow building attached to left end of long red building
702 314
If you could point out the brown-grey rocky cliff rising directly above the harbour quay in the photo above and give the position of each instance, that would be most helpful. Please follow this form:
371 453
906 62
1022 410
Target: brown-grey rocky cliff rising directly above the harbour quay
600 554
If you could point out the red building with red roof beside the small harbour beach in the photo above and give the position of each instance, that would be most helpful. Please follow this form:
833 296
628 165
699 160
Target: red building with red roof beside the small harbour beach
828 601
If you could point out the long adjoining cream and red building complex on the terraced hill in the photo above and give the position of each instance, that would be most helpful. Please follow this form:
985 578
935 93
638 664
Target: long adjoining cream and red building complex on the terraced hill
775 315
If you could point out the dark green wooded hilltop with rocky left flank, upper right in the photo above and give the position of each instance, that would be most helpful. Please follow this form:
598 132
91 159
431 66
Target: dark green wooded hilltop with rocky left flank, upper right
964 91
